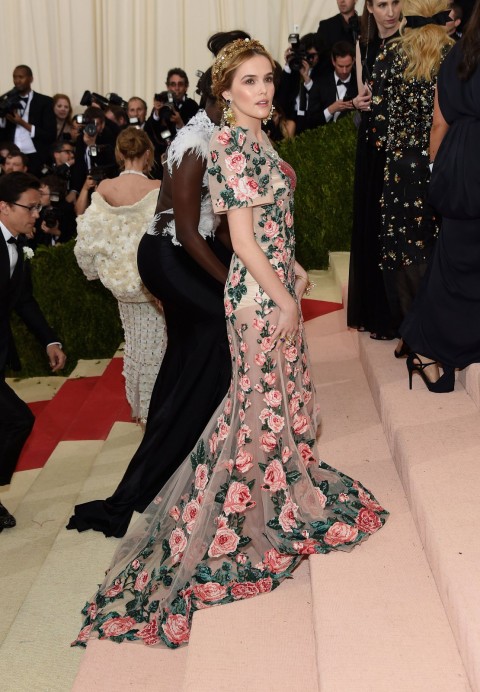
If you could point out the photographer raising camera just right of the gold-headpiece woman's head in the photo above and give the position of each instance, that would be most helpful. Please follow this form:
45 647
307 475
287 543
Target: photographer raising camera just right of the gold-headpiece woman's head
296 95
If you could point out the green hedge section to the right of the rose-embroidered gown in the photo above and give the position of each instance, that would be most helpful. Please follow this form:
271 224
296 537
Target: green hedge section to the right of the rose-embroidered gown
324 161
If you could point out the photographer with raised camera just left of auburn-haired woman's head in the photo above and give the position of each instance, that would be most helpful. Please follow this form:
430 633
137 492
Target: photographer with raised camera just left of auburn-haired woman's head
95 150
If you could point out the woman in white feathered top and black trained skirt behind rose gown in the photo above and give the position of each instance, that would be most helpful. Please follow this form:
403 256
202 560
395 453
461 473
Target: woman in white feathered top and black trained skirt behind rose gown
183 263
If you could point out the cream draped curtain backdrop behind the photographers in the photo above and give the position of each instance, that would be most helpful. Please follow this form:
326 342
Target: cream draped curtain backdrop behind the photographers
127 46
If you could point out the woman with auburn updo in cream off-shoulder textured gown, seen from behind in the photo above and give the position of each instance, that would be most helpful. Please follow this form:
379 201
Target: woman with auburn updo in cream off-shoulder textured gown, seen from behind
106 249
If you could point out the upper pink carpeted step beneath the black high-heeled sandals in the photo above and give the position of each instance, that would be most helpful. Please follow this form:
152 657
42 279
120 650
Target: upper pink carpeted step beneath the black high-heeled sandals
435 442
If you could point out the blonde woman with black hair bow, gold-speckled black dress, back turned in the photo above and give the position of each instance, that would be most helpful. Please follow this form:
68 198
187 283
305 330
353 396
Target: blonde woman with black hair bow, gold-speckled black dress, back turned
409 225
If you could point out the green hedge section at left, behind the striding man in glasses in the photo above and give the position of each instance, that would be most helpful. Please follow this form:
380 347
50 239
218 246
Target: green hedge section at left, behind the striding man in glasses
83 313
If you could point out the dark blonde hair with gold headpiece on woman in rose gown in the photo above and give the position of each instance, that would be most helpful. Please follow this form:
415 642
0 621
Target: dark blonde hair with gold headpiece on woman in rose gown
229 59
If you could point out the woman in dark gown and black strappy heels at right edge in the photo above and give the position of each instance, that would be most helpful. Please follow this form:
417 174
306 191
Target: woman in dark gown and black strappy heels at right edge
444 324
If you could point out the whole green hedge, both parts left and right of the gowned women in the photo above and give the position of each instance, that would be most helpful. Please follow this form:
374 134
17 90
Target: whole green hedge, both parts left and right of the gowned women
85 315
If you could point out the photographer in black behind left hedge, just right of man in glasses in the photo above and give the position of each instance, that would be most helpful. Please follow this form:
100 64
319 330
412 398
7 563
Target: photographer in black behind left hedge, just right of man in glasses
57 222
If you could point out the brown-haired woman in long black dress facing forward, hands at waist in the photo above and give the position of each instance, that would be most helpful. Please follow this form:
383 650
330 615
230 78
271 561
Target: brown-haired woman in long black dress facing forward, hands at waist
368 308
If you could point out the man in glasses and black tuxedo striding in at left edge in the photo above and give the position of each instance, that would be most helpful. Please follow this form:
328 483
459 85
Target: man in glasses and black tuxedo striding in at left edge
19 209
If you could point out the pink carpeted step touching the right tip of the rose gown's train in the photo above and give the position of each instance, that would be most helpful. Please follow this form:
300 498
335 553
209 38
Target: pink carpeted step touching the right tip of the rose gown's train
379 621
